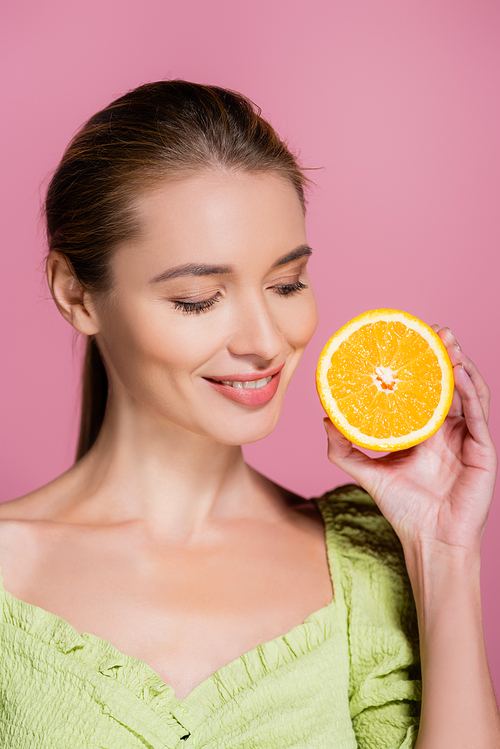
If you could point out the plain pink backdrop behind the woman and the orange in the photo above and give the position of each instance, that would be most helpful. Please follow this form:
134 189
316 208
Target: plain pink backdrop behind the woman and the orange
396 100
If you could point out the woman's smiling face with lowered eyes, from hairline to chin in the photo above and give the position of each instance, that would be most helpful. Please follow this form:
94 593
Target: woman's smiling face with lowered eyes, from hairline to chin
212 306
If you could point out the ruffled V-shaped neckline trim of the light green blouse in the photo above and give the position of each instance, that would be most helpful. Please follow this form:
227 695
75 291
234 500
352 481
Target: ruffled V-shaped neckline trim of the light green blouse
221 687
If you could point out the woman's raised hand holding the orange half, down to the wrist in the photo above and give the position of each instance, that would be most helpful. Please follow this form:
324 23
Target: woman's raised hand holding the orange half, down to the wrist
440 490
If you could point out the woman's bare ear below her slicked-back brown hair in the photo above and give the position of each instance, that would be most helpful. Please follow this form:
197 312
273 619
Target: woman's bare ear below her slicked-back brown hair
72 301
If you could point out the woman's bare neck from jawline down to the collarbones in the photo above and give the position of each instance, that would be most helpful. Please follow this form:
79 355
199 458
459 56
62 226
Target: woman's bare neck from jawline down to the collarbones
174 480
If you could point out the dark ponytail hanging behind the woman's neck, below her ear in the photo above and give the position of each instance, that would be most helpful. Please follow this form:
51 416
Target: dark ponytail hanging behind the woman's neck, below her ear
94 398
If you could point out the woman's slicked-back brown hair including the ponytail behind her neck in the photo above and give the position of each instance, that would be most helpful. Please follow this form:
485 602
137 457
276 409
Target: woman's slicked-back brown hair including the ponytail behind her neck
161 130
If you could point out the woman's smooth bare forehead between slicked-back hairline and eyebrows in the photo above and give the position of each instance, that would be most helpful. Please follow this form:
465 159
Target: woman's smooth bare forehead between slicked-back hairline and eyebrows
220 214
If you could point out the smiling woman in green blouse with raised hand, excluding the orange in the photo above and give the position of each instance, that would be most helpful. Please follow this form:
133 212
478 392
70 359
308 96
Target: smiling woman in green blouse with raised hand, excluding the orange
161 593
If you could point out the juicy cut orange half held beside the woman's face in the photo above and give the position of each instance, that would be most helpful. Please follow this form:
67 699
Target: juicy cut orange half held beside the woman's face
385 380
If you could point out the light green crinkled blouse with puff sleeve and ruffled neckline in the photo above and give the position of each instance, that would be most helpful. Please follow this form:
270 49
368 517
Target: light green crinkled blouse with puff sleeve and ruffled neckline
347 677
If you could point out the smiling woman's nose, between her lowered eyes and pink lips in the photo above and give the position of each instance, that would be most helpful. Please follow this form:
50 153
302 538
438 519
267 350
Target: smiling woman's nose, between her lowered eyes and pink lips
255 331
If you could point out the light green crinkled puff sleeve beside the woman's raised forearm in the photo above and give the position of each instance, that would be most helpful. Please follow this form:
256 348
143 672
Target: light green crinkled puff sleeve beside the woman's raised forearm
385 680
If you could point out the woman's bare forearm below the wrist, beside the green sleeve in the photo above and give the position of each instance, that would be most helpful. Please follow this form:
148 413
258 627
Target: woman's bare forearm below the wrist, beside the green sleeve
459 707
